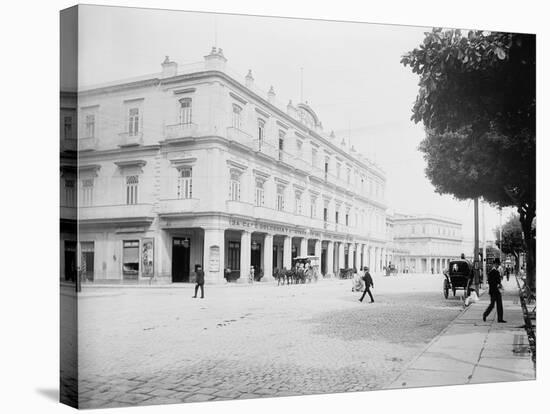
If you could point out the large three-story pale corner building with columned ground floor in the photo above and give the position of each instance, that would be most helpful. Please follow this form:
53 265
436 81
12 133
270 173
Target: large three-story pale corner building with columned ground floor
194 166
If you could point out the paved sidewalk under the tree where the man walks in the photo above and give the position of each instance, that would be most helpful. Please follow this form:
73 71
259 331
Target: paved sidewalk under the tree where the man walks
470 351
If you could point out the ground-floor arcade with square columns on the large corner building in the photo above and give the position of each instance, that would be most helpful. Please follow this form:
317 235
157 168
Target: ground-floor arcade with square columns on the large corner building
170 250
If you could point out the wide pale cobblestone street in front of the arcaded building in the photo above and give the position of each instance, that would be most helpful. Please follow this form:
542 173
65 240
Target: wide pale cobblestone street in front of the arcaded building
141 346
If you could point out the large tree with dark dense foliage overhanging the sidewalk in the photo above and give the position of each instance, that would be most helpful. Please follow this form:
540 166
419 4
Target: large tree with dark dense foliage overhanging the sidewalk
477 102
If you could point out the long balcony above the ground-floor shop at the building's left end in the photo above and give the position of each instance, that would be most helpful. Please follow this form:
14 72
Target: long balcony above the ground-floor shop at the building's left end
124 213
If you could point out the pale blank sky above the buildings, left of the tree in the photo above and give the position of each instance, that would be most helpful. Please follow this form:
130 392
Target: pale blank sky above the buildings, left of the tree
352 79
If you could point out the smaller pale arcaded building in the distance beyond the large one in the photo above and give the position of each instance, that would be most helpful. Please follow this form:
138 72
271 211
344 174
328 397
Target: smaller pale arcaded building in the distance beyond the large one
426 242
